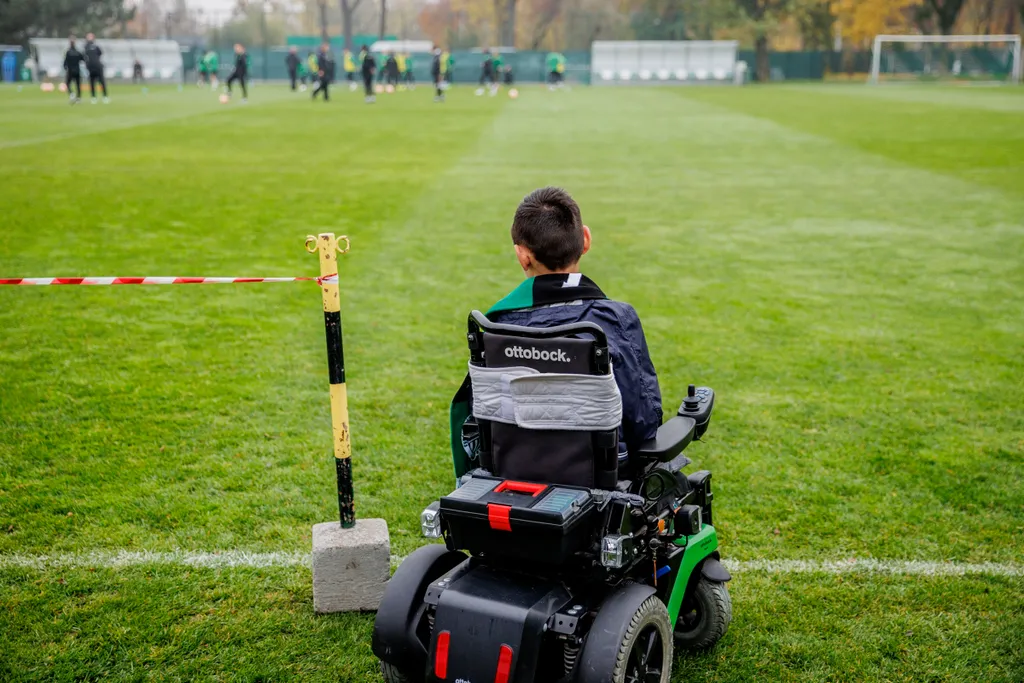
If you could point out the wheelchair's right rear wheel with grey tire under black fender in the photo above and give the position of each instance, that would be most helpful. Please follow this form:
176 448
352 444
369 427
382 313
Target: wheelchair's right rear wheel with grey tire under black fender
630 641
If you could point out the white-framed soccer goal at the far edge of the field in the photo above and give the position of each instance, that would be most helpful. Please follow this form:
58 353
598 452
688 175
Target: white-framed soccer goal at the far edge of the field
947 58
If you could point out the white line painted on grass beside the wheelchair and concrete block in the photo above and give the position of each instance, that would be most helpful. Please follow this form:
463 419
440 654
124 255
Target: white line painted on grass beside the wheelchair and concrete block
241 559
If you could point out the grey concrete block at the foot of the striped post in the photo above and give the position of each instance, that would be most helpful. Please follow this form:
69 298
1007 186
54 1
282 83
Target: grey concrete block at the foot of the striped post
351 566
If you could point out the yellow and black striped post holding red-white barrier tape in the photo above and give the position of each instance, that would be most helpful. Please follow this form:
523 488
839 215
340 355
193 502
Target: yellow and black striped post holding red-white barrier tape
327 245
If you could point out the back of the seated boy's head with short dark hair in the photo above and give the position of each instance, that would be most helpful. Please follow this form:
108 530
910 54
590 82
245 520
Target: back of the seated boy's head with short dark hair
548 224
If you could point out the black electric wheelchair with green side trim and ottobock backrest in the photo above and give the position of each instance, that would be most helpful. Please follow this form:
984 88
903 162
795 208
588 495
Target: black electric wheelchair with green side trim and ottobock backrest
562 563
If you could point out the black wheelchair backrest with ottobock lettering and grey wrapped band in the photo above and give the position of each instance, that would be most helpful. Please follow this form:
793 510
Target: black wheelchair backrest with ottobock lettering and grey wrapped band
546 403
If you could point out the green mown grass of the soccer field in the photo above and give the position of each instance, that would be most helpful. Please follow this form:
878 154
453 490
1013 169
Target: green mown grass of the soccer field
842 264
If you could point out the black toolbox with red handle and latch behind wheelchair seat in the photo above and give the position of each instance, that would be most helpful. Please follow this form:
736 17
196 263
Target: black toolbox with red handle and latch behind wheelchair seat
536 522
